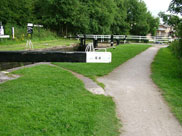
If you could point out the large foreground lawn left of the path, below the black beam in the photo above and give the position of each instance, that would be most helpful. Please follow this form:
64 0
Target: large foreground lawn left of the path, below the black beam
48 101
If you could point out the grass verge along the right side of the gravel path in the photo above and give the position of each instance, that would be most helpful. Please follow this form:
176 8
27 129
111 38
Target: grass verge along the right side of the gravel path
167 74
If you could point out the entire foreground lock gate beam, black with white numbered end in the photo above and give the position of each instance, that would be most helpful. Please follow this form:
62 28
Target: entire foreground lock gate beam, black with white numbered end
55 56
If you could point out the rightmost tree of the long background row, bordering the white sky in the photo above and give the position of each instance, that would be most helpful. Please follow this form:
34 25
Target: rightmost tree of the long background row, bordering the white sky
140 20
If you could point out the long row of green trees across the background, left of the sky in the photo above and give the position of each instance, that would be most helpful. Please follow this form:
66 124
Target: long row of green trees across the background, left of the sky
82 16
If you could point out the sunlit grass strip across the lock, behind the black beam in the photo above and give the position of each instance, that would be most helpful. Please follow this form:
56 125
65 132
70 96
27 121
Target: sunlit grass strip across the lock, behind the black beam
38 44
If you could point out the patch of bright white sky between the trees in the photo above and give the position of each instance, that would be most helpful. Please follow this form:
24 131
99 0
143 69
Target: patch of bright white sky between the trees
155 6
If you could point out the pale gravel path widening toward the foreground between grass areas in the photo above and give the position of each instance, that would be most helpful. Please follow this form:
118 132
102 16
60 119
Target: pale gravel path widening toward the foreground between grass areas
140 106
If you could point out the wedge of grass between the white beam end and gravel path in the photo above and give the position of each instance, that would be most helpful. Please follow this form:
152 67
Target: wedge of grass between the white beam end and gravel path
119 55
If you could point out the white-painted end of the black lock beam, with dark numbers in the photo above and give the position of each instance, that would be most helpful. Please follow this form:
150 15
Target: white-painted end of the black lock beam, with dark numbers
98 57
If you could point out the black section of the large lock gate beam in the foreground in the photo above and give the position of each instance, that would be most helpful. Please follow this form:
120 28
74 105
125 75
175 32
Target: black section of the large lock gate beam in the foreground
42 56
